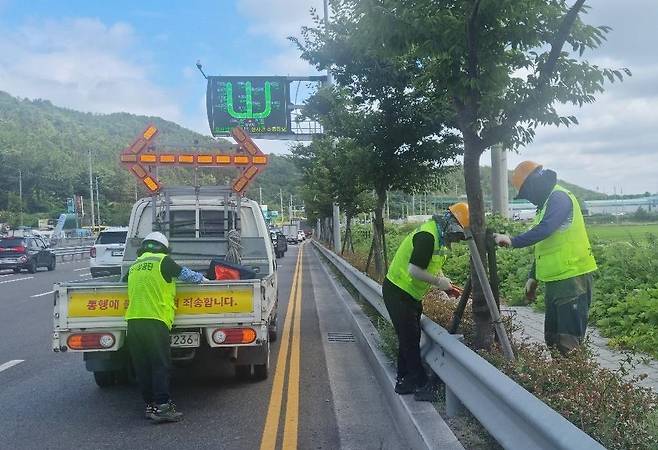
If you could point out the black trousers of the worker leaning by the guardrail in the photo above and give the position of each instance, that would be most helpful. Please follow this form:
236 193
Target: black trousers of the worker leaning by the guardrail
405 312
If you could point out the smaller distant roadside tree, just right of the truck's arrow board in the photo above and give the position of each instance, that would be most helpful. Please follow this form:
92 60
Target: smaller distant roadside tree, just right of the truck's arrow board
331 173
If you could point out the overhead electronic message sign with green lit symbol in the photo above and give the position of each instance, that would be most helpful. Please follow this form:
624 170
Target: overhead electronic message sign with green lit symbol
257 104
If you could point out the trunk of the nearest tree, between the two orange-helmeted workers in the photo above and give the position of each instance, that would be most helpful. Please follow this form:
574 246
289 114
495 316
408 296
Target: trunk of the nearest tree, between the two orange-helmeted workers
481 318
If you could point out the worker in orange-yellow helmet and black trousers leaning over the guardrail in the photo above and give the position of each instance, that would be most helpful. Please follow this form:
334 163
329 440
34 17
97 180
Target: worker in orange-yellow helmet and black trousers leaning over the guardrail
416 267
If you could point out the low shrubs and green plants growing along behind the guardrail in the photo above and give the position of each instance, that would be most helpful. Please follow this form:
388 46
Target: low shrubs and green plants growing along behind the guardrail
607 404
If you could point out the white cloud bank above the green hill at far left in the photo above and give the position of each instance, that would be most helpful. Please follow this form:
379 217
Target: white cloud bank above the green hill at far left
83 64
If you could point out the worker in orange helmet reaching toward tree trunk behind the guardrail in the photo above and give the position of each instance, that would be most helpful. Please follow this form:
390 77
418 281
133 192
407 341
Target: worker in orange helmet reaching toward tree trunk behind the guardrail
563 255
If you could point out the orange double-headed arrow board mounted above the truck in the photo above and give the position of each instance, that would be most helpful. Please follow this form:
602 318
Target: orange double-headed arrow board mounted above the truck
135 160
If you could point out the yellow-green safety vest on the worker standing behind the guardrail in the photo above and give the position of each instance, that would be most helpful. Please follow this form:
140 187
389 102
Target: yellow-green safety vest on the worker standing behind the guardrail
567 252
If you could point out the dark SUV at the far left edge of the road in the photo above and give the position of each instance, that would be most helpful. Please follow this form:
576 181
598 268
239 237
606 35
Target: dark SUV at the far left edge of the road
26 252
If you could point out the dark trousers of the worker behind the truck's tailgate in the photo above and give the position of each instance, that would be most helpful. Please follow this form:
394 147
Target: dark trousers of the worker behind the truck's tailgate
148 342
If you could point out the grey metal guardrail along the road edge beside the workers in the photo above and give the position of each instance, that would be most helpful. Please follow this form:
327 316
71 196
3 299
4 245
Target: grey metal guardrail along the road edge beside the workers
513 416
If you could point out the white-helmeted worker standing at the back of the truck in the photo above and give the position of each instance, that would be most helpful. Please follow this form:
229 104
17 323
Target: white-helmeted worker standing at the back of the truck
150 315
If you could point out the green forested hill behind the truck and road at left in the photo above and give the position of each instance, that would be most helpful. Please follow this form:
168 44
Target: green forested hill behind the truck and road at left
50 145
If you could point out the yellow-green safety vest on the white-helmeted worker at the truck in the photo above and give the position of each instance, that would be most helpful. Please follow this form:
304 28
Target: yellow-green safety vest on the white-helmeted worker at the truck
149 295
